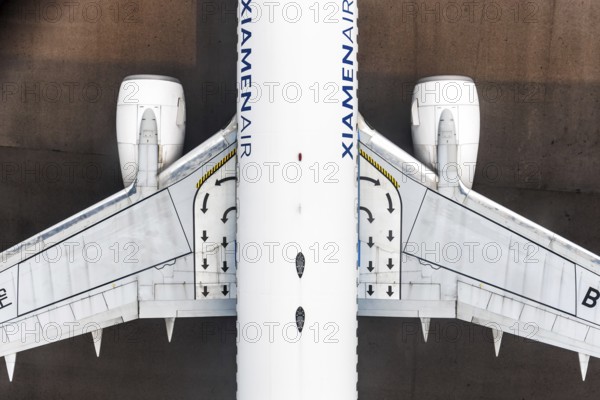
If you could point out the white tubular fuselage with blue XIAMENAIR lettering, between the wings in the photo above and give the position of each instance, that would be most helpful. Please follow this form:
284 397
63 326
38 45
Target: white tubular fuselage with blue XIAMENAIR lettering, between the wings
297 192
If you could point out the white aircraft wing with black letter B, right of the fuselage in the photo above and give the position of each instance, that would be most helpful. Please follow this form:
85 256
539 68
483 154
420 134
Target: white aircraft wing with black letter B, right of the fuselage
426 255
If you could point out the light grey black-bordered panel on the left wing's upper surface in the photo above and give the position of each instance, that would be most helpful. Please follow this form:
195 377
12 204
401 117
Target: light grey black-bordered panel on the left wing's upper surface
145 236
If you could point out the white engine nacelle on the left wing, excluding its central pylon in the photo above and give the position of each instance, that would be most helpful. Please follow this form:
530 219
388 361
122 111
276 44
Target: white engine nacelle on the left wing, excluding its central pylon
162 94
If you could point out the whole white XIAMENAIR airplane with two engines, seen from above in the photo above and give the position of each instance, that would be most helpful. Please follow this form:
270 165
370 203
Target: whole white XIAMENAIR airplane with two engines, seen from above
296 235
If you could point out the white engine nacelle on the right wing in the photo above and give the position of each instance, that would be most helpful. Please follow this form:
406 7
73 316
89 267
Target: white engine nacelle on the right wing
443 107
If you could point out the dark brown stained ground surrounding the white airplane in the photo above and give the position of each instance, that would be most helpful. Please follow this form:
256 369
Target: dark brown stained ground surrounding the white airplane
537 65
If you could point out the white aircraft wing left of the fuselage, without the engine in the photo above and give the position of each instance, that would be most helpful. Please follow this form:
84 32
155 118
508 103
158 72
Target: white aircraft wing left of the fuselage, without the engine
130 256
